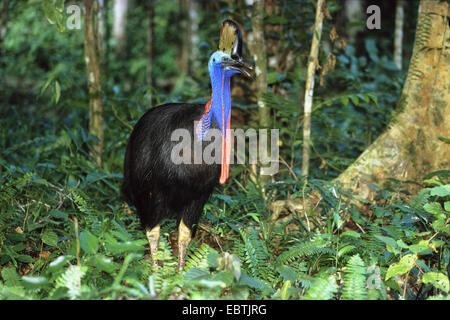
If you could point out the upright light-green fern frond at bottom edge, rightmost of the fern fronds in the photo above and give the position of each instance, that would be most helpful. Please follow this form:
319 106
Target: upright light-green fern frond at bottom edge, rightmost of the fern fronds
355 280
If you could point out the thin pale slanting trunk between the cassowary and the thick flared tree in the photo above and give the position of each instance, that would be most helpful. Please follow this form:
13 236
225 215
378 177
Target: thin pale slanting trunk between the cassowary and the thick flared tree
309 87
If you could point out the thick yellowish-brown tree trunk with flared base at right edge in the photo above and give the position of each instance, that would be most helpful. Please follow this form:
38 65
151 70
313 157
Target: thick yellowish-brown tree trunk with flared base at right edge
411 147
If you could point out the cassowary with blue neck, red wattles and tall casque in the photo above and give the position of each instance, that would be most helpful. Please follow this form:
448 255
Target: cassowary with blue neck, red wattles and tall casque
153 183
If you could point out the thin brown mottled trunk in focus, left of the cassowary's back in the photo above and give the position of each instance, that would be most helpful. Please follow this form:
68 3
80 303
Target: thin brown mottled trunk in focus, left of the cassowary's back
94 84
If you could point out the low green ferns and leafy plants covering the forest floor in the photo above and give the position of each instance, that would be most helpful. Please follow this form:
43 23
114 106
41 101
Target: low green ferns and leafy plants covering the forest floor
58 243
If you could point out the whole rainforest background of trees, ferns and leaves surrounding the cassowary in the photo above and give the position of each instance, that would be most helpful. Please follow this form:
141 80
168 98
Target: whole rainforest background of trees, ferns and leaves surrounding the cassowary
360 205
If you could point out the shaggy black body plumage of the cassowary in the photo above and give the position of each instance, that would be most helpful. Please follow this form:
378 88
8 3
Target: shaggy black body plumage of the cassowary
152 183
